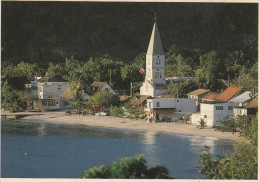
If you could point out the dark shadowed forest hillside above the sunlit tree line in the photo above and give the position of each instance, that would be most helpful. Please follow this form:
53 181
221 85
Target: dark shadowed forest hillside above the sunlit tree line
43 32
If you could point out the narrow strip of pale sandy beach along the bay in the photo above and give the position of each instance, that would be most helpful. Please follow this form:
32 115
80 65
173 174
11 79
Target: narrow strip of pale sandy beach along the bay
126 123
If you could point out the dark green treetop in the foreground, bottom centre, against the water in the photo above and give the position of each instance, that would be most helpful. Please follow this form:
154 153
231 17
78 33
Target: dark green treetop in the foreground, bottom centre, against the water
128 168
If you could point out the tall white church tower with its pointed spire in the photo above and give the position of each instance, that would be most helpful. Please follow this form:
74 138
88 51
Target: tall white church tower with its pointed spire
154 83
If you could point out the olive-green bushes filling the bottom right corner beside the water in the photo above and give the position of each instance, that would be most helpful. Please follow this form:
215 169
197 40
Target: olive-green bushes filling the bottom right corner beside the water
243 163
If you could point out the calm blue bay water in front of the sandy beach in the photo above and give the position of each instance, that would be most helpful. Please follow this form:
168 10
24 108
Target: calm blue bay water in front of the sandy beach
49 150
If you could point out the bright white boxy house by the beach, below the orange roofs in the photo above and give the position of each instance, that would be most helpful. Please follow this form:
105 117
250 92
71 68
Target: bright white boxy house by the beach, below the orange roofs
213 112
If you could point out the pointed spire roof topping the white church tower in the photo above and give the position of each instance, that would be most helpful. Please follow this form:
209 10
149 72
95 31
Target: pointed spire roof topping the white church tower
155 46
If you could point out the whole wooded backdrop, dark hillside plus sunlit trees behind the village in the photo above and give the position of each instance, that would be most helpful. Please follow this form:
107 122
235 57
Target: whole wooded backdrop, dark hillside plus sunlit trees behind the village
84 42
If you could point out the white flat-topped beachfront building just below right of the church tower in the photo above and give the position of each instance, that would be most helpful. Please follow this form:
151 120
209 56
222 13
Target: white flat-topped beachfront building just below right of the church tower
169 109
